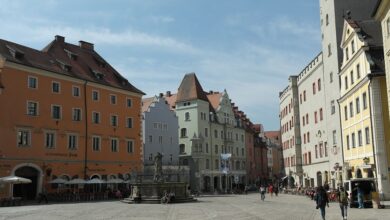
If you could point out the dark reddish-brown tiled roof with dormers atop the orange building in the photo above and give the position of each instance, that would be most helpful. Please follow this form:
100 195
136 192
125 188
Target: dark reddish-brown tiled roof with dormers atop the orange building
81 62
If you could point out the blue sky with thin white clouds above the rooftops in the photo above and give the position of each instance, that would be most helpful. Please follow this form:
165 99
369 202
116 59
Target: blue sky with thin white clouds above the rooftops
248 47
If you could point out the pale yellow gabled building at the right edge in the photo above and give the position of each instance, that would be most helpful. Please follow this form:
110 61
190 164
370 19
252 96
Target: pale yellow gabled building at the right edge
363 102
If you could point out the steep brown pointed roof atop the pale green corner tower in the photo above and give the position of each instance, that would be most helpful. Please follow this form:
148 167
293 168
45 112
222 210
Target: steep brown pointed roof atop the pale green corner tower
190 89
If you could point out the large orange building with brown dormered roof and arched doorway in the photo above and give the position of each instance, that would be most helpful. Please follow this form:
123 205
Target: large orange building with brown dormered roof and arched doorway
65 113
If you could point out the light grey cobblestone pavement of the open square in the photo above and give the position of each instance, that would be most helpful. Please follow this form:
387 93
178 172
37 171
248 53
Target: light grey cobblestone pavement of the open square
224 207
